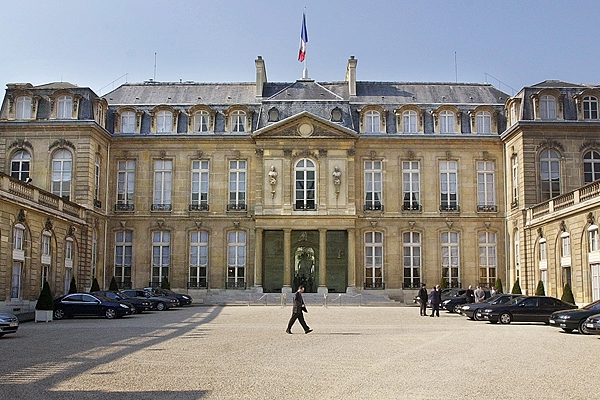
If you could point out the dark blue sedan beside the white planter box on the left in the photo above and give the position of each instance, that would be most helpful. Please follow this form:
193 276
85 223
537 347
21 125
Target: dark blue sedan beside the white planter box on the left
90 304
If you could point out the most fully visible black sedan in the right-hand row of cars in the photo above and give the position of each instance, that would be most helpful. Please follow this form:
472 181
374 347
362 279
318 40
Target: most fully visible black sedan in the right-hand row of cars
523 309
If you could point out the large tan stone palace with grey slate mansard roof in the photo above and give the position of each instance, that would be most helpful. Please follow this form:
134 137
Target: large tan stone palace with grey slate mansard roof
345 187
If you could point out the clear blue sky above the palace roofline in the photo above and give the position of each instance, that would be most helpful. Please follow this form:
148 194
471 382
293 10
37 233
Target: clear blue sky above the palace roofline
103 44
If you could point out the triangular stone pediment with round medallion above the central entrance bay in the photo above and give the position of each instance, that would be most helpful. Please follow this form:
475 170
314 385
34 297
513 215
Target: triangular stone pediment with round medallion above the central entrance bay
305 126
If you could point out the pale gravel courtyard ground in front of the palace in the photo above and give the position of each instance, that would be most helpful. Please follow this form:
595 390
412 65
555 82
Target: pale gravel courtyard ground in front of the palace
242 352
